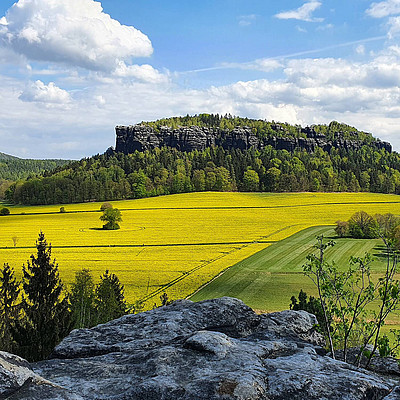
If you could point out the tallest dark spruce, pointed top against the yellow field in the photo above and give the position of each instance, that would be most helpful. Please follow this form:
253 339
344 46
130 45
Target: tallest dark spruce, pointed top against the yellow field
46 316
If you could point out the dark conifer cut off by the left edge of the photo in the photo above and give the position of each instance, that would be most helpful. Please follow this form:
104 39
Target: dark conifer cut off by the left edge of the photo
9 309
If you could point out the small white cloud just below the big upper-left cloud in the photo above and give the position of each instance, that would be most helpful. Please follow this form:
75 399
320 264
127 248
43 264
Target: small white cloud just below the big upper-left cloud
50 94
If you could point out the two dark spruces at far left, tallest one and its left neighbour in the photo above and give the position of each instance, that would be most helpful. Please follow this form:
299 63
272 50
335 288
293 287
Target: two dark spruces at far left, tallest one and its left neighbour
35 323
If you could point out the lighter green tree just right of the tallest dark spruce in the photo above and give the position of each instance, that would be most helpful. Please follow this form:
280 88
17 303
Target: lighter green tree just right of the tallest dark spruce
82 300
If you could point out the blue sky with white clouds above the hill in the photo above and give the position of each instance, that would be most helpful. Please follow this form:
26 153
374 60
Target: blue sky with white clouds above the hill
70 70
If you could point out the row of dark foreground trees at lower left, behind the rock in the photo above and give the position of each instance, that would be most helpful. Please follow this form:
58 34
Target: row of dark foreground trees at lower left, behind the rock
38 312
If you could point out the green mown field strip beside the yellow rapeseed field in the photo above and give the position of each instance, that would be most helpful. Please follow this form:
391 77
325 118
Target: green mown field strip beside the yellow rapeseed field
268 279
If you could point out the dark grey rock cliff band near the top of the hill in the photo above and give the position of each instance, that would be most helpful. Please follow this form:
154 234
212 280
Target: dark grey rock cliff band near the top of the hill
142 137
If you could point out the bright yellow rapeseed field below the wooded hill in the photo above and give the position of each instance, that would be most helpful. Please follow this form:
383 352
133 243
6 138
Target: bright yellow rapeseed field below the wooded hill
180 242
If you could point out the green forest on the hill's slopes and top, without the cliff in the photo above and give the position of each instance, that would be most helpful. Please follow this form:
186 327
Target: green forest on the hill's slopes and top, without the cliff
166 170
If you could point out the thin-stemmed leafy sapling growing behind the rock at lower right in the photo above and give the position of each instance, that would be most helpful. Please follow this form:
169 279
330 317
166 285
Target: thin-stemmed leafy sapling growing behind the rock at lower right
345 295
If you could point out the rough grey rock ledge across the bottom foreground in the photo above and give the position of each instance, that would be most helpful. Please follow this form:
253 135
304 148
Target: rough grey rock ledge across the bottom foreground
215 349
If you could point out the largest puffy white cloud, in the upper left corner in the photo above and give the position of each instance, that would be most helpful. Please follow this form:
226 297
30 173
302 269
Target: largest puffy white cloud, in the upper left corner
74 32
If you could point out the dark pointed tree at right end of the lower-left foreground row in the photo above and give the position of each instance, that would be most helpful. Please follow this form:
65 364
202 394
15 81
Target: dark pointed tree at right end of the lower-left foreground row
110 299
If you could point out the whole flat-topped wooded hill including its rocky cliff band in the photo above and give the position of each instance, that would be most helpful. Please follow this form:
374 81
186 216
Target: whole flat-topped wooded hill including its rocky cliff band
168 160
